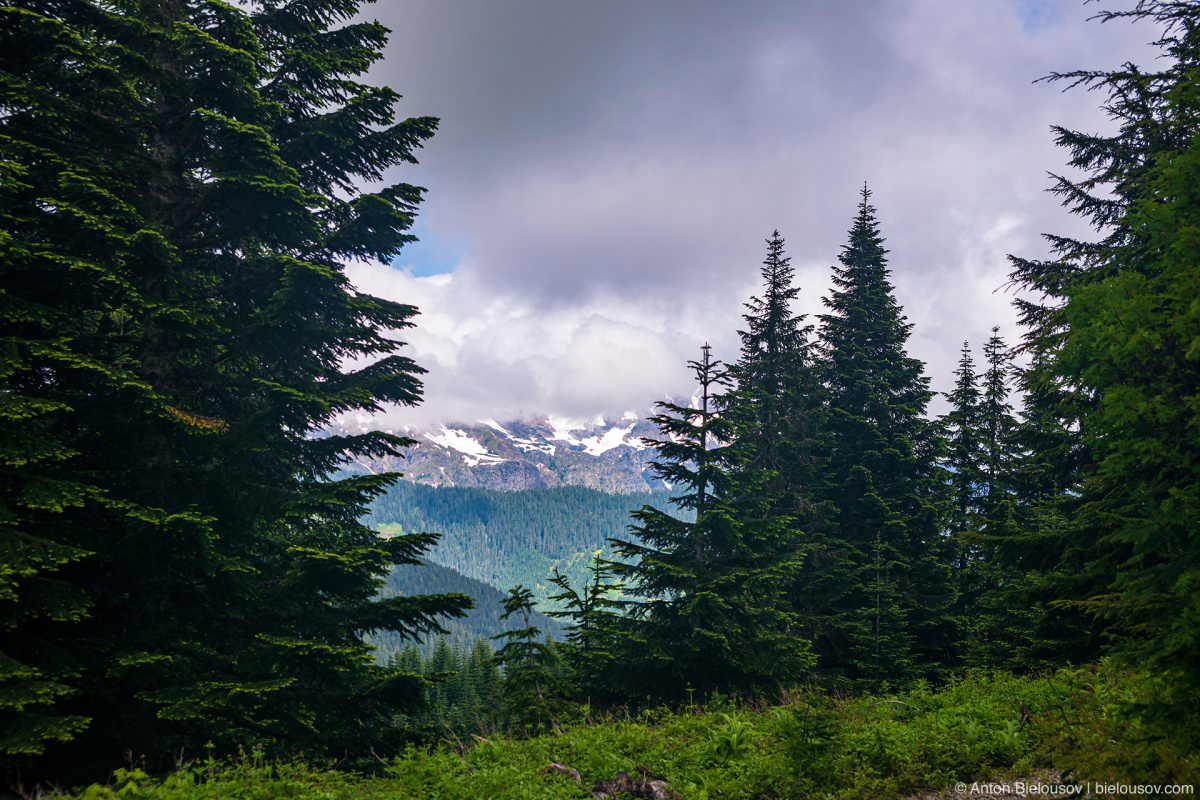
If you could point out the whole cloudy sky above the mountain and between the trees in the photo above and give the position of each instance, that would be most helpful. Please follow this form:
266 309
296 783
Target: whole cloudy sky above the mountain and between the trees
607 172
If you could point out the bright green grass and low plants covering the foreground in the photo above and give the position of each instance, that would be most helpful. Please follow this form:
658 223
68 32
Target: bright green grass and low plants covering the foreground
814 745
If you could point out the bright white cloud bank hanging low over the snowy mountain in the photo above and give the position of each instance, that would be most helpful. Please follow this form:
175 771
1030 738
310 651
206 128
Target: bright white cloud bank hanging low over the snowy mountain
500 357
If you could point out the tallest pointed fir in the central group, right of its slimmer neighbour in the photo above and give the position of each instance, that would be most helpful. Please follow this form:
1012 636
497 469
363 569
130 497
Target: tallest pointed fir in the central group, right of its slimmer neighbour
884 479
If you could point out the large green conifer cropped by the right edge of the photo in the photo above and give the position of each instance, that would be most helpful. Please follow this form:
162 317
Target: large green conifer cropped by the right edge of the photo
1118 339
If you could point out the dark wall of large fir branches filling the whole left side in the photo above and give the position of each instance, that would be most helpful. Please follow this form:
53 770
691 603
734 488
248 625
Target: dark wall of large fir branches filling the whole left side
182 187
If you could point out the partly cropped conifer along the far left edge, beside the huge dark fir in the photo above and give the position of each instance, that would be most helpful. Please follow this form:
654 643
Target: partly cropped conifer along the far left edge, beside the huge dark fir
65 334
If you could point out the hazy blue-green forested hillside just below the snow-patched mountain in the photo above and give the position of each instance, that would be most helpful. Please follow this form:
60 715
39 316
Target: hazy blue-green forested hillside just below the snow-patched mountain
506 539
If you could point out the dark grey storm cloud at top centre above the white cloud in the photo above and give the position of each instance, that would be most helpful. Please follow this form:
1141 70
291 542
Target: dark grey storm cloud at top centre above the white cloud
628 145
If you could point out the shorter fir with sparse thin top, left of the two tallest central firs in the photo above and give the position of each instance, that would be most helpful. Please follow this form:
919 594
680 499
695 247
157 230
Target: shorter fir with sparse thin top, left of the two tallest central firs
707 603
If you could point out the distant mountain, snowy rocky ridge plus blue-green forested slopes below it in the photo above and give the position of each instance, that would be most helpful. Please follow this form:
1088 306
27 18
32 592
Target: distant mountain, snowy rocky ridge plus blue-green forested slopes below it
514 502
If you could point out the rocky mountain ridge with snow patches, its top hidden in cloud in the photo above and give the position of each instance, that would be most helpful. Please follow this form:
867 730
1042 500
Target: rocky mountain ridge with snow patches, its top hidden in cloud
607 455
